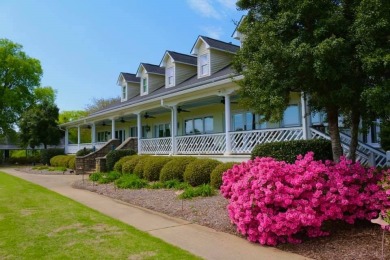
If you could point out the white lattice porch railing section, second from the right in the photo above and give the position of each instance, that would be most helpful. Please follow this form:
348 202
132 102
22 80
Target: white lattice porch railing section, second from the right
201 144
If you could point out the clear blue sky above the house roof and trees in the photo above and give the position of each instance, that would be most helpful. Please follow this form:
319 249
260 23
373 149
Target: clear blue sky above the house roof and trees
84 45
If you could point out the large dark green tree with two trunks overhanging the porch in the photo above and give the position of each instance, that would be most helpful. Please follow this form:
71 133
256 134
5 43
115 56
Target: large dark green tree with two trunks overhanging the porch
307 46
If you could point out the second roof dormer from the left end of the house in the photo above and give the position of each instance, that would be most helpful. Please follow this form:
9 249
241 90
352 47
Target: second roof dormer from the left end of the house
151 77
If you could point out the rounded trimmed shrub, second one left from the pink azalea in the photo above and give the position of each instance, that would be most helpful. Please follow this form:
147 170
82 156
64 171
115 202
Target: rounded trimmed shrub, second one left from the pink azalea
198 171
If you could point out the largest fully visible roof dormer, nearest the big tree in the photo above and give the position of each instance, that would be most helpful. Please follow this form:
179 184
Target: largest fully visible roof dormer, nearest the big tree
212 55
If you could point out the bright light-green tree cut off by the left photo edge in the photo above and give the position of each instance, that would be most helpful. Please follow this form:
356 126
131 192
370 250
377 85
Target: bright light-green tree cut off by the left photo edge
19 75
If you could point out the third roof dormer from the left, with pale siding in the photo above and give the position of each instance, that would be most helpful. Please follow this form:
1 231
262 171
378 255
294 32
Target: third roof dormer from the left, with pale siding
178 67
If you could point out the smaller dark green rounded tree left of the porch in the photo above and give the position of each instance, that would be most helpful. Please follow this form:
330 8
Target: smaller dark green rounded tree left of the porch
38 125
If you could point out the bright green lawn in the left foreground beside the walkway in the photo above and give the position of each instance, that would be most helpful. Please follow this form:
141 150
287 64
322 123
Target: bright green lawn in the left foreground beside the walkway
36 223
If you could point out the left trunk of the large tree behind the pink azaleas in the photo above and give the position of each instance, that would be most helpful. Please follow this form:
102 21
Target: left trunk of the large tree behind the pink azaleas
334 133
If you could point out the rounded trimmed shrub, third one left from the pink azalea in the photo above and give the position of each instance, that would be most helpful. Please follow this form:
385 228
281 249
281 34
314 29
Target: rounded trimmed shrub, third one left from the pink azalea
175 168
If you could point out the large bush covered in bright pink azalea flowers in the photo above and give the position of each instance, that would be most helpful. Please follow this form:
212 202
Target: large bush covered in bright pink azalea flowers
274 202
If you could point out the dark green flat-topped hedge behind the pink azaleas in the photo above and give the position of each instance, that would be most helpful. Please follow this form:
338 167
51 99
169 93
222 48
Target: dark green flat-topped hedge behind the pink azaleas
289 150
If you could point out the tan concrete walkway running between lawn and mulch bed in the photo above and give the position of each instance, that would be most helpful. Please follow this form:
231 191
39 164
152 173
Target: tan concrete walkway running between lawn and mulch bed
199 240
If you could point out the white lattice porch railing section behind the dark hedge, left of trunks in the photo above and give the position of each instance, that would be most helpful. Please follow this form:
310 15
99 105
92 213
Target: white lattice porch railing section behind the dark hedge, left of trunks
245 141
